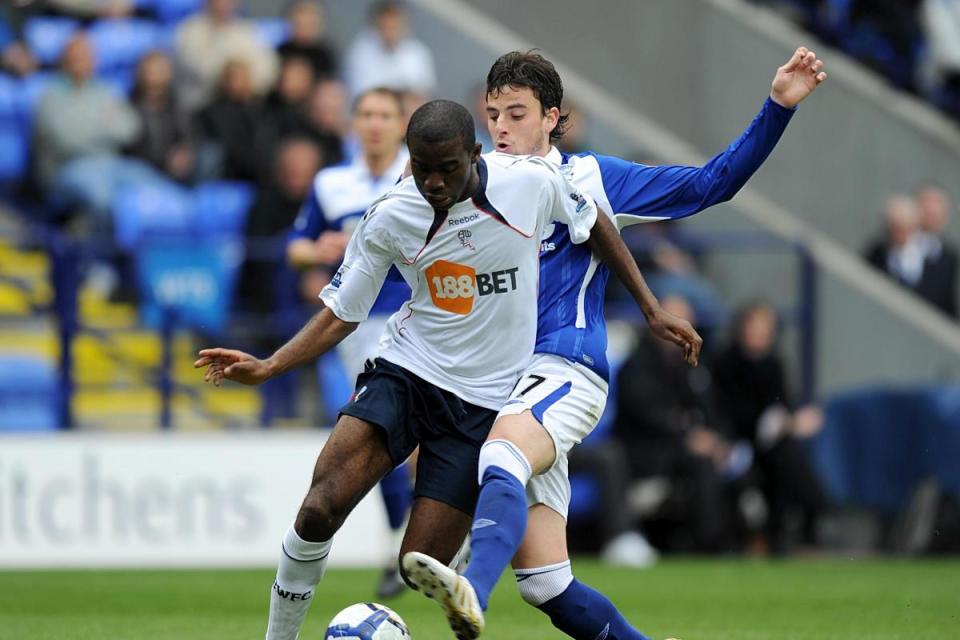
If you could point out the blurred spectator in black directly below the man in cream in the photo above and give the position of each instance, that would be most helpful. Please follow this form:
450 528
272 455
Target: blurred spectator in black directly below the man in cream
227 127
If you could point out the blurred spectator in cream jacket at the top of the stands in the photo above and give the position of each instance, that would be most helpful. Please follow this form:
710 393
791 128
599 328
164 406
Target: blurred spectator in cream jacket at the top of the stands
207 41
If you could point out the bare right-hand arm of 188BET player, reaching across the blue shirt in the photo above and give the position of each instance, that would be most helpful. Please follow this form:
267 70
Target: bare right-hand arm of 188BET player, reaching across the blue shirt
606 243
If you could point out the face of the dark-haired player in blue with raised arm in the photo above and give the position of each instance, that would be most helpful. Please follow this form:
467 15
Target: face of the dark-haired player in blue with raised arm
517 123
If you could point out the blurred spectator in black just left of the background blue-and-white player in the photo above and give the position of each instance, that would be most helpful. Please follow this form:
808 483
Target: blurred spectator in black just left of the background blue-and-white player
273 212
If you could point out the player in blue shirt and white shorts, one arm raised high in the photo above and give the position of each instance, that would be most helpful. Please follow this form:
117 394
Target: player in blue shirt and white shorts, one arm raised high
525 492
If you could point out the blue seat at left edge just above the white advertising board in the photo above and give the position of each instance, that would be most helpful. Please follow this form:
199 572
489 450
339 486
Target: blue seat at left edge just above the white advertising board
28 393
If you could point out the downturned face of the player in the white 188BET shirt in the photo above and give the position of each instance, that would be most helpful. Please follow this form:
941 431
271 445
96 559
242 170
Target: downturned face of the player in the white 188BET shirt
445 172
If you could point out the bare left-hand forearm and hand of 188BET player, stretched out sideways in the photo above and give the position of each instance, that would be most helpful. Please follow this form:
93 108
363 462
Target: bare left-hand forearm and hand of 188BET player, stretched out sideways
319 335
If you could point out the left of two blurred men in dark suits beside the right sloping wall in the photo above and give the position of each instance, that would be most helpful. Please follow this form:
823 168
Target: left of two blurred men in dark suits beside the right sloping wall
900 253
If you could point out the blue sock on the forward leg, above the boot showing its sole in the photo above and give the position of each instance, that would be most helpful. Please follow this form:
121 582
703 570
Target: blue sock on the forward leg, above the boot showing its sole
498 527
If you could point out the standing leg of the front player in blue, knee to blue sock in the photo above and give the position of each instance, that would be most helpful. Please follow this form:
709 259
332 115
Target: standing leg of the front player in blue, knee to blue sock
545 579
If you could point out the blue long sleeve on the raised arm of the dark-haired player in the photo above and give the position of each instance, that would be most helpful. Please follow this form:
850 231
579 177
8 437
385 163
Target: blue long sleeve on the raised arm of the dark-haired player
679 191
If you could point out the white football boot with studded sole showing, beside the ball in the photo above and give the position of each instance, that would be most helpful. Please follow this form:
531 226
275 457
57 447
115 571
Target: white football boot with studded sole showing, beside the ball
453 592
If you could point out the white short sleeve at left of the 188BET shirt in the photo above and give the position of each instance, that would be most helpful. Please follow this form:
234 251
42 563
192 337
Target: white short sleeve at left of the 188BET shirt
357 283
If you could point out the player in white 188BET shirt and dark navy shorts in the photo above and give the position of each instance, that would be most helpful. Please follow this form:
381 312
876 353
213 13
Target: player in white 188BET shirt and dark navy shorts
464 233
